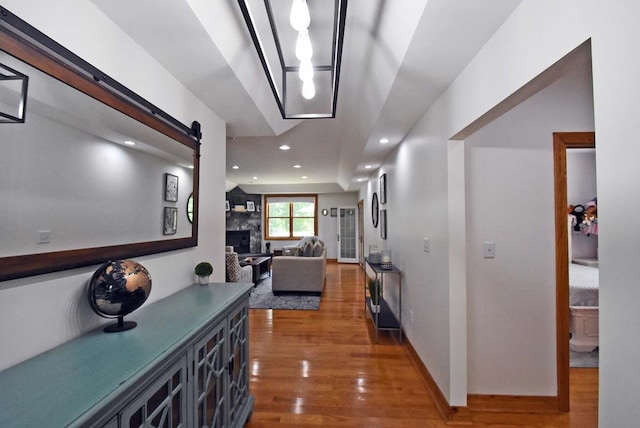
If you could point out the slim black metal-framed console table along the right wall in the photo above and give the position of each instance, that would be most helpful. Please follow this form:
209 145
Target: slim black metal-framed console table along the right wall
384 319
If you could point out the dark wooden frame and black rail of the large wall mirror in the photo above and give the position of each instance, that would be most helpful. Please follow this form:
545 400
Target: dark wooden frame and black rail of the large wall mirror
24 42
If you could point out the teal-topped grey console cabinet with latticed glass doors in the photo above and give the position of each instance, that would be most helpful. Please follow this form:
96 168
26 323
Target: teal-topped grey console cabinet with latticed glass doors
186 363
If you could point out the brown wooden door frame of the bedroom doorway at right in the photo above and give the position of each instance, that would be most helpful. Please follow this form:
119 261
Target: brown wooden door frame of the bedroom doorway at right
561 142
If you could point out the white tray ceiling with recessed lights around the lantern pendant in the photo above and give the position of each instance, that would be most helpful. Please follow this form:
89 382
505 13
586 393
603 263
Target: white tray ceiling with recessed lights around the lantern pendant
398 57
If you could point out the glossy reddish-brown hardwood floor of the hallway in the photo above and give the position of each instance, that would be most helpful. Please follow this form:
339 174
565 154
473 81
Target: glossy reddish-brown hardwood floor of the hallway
322 368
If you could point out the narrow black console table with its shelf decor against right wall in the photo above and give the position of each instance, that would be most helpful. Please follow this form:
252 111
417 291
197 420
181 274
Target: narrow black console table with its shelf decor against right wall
383 317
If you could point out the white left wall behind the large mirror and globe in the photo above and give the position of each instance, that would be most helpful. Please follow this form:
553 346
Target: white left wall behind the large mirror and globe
51 309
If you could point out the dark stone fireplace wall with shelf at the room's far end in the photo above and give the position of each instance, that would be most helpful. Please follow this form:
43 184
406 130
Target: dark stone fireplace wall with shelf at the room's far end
245 213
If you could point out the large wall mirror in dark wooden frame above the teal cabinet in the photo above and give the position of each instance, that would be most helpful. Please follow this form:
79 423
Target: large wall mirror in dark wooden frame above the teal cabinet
74 192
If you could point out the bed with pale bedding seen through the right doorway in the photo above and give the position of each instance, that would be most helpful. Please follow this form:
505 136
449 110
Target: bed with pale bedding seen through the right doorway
583 307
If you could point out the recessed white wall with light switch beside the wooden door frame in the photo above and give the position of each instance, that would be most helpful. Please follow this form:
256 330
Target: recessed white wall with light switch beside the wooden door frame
510 201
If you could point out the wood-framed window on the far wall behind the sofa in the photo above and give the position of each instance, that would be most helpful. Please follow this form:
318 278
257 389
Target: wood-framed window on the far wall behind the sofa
291 216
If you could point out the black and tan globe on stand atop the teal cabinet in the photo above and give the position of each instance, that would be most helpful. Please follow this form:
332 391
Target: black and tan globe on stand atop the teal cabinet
118 288
